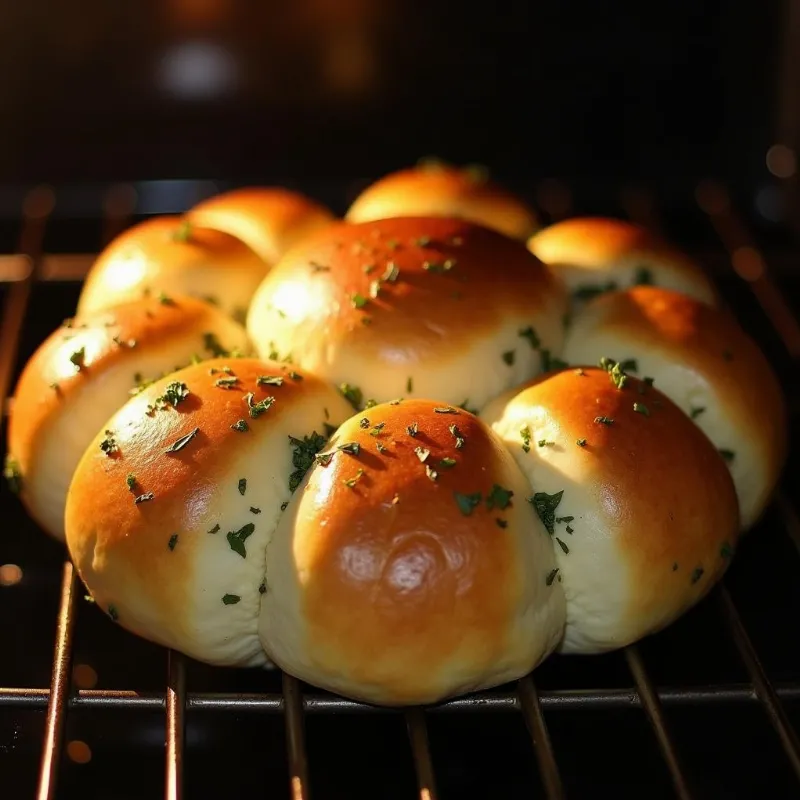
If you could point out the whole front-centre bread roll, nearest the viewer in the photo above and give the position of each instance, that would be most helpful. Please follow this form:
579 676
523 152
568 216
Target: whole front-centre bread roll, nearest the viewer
410 567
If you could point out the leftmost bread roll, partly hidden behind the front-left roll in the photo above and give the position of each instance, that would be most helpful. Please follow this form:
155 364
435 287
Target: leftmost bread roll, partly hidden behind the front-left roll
85 371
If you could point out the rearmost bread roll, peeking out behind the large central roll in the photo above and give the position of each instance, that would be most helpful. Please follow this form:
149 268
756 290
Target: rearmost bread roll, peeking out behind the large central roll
439 190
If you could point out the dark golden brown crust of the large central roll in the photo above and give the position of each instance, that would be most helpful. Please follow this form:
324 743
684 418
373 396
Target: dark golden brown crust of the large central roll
456 282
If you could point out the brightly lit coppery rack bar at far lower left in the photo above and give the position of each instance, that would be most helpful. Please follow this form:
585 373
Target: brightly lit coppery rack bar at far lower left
59 688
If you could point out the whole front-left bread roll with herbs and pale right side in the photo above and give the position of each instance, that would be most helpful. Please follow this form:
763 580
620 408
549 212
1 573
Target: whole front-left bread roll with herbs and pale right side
169 532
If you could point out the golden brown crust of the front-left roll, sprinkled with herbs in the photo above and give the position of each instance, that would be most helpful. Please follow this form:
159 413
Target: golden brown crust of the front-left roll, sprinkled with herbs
109 532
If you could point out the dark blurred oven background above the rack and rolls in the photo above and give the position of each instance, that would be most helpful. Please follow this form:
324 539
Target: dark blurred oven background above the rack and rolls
319 92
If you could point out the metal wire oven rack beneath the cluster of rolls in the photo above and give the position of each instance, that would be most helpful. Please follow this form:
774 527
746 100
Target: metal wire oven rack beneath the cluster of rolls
749 701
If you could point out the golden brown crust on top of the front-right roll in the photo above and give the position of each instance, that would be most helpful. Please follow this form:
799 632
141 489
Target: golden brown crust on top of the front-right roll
666 493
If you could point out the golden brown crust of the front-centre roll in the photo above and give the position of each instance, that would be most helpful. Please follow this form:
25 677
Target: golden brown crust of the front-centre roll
468 578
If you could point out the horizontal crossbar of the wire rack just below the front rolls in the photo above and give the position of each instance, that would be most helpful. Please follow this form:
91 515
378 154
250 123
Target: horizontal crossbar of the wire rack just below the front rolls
489 702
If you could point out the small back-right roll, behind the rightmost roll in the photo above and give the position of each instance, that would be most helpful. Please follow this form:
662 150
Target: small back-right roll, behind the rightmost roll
593 255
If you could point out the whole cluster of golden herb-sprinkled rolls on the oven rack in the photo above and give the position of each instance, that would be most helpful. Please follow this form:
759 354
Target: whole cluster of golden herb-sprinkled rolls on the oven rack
402 455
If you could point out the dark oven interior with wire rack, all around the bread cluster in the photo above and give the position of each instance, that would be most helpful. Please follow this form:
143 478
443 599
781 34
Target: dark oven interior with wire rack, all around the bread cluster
671 121
